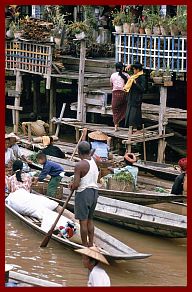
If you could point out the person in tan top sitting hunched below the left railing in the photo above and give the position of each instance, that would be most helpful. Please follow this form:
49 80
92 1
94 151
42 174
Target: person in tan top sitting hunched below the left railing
38 127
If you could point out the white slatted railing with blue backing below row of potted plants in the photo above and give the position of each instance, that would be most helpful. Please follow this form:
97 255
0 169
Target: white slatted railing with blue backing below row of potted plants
152 51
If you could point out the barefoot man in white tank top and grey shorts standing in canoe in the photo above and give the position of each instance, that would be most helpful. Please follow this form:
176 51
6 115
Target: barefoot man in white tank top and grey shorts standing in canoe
85 183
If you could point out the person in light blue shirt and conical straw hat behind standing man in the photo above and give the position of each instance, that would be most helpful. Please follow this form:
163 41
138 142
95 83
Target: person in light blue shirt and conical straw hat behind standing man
99 143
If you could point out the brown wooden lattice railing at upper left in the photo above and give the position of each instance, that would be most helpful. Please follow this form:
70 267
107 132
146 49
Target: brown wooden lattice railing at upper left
29 57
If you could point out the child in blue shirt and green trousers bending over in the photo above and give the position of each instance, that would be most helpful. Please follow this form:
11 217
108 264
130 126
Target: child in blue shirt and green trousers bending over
50 168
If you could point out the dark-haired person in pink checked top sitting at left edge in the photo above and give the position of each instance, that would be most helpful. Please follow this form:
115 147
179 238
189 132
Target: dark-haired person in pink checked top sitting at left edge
19 180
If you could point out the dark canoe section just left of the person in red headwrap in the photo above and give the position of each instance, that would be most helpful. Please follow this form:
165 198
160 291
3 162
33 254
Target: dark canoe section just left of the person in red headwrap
162 170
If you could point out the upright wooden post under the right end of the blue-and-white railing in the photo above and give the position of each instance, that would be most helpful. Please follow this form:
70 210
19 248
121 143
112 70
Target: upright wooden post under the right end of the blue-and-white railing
162 111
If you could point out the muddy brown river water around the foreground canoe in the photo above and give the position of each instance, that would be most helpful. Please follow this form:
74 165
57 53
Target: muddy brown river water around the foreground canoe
166 266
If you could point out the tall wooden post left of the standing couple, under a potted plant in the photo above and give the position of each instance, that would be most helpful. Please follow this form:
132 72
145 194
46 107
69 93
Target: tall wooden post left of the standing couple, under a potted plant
81 110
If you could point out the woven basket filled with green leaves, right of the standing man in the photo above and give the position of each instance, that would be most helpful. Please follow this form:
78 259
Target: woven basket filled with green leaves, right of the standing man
117 185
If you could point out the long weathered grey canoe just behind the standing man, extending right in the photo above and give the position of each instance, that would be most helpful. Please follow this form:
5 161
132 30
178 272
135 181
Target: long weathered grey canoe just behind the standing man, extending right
139 218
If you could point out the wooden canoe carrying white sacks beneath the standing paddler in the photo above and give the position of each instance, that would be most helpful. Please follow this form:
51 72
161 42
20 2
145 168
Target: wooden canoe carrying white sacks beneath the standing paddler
111 247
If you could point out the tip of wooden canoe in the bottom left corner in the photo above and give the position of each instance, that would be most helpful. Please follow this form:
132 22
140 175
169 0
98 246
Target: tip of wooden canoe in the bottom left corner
22 280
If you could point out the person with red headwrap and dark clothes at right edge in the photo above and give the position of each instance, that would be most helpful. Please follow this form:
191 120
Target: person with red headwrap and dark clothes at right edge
180 184
